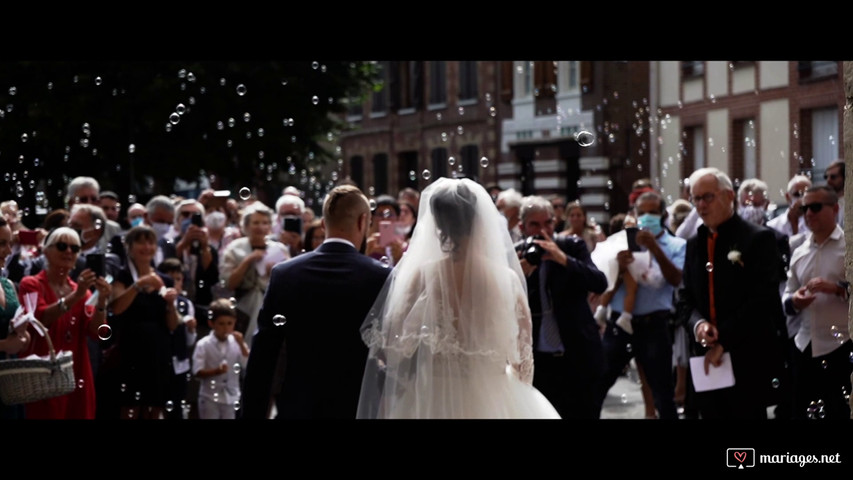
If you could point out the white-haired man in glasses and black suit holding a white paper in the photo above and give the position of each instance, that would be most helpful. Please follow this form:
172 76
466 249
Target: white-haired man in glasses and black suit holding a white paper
731 289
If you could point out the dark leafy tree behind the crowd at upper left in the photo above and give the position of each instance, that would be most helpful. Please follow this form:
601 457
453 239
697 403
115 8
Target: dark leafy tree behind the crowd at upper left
137 125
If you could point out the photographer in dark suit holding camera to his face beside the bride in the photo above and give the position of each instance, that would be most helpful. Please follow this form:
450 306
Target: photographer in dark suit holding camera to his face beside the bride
567 349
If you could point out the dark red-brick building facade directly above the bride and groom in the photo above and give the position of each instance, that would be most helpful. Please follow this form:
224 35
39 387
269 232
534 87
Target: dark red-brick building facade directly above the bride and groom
431 119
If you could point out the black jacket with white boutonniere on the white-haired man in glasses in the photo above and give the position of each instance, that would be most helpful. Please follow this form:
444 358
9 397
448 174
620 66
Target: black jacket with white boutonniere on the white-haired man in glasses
747 302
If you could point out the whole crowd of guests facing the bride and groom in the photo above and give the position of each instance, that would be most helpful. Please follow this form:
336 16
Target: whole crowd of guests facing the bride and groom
162 327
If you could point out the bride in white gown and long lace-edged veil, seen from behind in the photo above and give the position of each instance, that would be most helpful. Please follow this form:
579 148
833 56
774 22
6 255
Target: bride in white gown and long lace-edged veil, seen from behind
450 333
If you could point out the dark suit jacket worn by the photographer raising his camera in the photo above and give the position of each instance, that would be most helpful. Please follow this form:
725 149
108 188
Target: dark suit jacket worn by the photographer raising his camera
568 288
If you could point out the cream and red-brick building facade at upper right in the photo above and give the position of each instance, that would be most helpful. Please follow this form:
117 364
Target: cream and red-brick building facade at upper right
764 119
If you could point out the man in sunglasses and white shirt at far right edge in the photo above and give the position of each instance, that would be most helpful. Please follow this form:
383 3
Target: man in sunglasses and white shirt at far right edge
817 290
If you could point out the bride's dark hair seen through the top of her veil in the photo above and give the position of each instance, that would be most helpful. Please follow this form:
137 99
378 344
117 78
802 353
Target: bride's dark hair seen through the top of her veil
453 209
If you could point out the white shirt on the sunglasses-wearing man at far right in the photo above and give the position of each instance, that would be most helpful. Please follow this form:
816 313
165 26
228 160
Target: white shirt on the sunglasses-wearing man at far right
824 321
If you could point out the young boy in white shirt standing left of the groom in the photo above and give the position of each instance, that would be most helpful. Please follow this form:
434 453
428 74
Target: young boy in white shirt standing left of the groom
218 360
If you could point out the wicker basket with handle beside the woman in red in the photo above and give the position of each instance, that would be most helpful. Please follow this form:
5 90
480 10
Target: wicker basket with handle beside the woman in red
25 381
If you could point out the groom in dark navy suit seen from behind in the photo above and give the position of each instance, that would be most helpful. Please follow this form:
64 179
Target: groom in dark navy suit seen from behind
308 346
